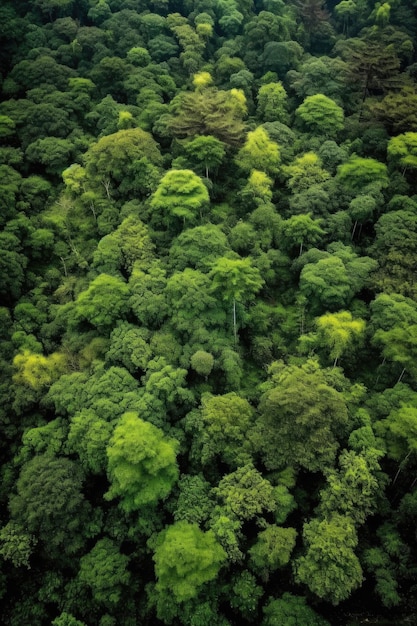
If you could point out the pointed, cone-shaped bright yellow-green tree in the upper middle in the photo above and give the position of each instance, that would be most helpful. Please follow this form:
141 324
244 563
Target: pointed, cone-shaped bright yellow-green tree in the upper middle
259 152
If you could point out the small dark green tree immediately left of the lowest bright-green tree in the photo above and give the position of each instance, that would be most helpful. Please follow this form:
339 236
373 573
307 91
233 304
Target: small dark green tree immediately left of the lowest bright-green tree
104 571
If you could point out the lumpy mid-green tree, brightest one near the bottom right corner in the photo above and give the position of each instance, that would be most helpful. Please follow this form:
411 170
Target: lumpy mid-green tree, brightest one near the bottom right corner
330 568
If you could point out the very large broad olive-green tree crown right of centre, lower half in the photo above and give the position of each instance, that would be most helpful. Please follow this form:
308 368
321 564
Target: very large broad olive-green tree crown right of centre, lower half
303 416
